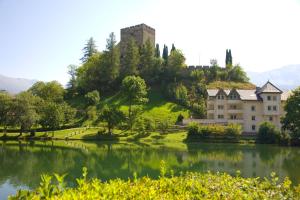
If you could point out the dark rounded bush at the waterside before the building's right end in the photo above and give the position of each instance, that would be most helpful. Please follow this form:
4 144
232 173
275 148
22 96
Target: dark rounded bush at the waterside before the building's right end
268 133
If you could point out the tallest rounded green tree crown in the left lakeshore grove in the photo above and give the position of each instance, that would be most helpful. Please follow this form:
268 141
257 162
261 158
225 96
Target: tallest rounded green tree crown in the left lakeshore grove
51 91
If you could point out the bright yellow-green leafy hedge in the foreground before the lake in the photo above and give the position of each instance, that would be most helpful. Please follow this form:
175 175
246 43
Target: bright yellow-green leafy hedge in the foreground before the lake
185 186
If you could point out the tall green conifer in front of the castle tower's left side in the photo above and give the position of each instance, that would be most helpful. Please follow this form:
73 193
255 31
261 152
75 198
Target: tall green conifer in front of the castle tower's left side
131 59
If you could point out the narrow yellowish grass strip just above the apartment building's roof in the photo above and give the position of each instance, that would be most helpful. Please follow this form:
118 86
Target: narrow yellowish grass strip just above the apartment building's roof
230 85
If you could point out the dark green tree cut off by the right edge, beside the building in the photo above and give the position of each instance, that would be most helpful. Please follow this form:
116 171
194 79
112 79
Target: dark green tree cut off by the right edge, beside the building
291 120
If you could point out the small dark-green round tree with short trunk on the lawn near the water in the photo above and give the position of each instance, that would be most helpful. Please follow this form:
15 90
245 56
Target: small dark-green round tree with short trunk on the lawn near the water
112 116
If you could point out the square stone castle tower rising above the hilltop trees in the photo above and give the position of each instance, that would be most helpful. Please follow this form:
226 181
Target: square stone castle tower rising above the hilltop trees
140 33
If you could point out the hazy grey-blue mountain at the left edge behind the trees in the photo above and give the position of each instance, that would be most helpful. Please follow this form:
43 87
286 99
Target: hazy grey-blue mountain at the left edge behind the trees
15 85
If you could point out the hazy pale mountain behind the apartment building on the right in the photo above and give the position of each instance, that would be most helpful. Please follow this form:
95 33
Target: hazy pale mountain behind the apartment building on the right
286 78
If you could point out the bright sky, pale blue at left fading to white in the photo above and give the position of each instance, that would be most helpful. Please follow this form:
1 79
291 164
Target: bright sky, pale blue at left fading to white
40 38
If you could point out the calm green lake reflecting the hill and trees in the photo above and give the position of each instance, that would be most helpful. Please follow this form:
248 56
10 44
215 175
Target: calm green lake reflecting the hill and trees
21 164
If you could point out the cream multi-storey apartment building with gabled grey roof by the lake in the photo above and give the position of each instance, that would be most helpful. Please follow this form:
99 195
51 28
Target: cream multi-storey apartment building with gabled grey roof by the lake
246 107
